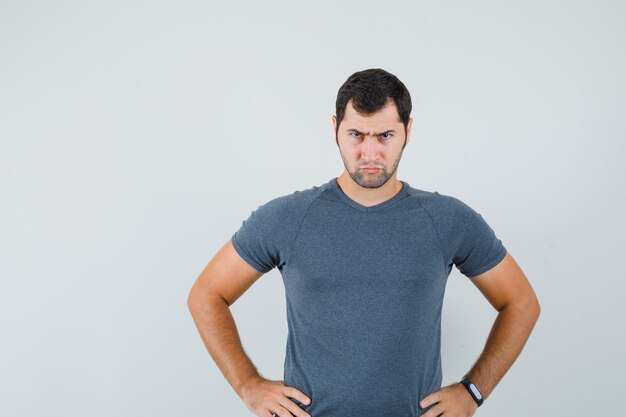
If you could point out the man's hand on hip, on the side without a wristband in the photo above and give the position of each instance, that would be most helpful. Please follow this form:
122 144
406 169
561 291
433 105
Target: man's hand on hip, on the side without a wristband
266 398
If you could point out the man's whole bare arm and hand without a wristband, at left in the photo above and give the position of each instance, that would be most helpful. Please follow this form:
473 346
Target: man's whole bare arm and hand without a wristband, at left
223 281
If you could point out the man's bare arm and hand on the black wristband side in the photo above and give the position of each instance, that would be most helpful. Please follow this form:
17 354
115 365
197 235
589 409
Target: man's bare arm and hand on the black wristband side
507 289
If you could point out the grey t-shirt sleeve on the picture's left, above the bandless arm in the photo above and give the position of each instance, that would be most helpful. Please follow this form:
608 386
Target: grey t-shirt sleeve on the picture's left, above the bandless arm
265 236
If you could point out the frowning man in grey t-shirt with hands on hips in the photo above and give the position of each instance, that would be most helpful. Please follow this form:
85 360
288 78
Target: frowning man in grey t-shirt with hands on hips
364 259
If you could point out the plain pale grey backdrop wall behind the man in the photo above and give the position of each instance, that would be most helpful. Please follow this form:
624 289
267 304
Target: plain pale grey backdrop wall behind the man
136 136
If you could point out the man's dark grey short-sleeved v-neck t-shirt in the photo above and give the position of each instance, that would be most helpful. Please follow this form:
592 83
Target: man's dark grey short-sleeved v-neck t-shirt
364 289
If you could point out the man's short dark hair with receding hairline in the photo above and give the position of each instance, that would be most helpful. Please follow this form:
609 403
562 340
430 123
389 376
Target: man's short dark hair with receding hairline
370 90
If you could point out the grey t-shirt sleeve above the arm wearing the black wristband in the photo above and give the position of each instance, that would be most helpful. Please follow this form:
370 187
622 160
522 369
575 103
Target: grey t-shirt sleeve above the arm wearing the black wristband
477 249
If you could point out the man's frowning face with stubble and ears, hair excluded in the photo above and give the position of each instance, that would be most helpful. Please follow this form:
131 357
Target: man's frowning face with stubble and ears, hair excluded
374 140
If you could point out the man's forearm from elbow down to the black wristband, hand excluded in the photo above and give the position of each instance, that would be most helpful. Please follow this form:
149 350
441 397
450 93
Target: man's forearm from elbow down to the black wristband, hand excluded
508 336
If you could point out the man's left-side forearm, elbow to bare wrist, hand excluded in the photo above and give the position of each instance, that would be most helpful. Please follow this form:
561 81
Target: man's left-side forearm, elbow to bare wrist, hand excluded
220 336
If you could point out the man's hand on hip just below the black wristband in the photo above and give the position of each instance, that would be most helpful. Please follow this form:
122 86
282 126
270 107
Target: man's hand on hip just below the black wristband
451 401
